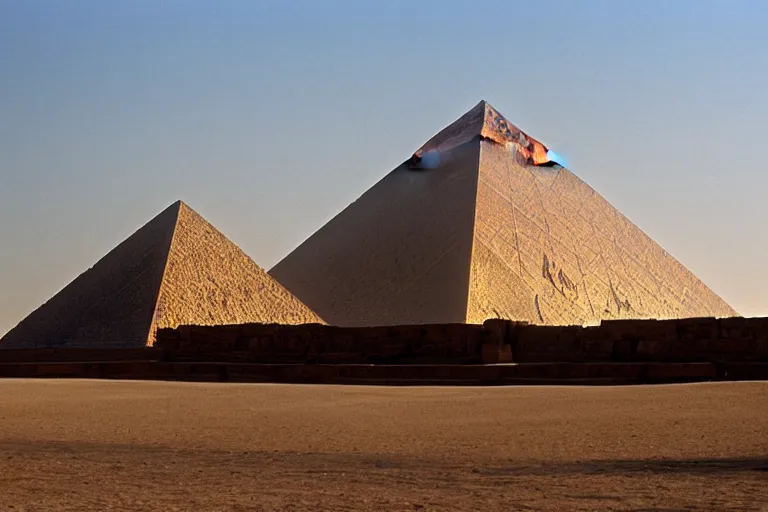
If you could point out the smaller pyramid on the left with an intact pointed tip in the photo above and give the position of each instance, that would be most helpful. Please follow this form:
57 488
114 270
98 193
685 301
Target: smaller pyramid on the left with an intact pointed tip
177 269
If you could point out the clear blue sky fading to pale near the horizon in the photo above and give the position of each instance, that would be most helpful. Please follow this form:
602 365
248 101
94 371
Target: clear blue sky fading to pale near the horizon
270 117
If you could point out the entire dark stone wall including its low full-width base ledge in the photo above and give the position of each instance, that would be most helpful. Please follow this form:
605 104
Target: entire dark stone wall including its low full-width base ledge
617 352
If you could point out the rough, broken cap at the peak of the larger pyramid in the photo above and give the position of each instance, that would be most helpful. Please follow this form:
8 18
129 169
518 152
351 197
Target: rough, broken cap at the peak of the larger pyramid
485 122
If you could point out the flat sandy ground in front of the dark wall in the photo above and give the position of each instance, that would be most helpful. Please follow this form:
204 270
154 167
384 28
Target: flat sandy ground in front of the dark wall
107 445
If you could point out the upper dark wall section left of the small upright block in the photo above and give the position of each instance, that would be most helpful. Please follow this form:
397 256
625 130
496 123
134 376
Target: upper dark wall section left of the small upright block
316 343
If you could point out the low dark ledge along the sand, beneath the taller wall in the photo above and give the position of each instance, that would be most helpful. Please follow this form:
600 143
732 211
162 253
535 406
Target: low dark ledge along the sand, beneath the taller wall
410 374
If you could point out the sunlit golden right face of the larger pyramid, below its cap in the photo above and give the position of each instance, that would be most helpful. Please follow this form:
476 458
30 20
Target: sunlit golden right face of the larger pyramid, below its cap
550 250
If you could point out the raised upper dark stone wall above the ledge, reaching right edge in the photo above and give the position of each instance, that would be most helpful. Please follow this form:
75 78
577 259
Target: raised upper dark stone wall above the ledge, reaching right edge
496 341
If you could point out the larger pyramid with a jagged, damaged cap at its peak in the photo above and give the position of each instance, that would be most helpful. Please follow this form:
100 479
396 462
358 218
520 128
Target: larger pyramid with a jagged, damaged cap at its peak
479 223
